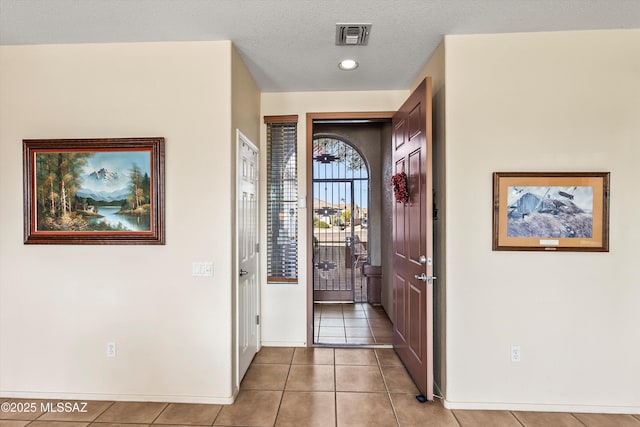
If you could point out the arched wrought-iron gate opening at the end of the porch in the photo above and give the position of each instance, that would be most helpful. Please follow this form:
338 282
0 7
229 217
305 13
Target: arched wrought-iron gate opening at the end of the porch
340 220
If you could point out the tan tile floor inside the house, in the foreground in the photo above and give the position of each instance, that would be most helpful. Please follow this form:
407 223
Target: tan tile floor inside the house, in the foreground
307 387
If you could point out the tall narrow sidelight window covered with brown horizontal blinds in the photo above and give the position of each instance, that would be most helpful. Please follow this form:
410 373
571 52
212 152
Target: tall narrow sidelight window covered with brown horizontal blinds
282 199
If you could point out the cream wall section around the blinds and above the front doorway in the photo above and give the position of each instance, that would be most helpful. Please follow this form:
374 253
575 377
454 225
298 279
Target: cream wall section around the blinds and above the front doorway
284 306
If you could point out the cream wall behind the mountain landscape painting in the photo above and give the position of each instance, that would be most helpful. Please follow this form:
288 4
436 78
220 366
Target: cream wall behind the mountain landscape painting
60 305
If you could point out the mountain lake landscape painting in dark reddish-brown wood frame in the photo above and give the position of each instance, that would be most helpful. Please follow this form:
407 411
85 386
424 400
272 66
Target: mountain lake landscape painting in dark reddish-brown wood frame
94 191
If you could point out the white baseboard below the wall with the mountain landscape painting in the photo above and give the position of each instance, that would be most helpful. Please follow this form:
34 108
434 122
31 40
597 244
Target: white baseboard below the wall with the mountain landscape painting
116 397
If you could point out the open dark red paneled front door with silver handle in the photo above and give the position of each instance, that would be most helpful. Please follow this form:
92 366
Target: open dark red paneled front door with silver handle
413 239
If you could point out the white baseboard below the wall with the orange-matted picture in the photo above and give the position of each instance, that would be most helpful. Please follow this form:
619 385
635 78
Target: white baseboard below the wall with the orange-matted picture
538 407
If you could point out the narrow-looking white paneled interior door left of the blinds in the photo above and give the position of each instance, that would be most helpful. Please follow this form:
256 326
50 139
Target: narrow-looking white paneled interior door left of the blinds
247 290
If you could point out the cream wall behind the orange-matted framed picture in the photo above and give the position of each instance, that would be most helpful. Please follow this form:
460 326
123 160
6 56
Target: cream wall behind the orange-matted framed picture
542 102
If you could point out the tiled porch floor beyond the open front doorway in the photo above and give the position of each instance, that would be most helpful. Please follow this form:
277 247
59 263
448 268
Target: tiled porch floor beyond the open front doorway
358 323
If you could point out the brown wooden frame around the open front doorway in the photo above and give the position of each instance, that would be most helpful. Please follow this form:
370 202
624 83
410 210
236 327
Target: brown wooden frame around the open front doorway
358 115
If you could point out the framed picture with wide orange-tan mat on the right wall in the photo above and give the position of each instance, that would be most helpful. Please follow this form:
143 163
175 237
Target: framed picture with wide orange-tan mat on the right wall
551 211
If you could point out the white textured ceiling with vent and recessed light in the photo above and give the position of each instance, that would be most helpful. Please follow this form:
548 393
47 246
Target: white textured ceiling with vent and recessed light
289 45
